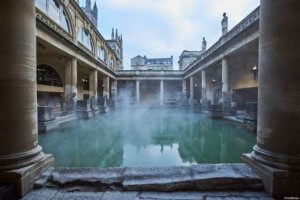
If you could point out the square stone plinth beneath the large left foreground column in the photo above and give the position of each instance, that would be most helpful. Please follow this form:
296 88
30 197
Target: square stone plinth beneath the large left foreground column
23 178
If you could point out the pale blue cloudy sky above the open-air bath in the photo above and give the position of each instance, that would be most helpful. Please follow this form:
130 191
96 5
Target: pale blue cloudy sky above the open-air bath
161 28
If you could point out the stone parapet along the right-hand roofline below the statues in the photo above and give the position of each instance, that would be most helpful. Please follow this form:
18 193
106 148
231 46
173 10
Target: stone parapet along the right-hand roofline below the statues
243 25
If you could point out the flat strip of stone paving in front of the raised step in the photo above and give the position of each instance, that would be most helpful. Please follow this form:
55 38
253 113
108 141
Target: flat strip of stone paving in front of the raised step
53 194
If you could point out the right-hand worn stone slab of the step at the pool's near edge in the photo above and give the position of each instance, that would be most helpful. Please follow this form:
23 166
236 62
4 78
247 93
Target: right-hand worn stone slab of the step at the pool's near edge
195 177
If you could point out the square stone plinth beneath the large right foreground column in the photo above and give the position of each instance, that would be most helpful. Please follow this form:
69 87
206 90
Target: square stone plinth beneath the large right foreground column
278 182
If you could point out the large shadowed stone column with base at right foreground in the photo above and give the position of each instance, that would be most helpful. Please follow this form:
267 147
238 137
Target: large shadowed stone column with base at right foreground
276 155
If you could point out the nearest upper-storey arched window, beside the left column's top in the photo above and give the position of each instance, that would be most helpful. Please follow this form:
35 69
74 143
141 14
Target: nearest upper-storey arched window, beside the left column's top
55 10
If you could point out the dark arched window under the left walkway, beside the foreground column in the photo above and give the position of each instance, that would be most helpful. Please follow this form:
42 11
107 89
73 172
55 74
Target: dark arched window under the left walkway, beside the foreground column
46 75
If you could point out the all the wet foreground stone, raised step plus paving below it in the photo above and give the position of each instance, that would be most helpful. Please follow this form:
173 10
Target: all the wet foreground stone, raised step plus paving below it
183 183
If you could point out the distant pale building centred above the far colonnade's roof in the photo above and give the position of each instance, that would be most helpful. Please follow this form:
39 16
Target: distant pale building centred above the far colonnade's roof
144 63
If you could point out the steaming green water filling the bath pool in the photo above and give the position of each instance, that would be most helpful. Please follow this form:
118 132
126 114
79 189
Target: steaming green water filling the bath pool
143 138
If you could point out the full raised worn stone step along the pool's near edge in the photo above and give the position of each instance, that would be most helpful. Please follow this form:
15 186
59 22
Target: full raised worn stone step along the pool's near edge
205 177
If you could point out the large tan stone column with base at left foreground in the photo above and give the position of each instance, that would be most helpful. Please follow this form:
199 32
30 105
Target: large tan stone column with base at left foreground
21 157
